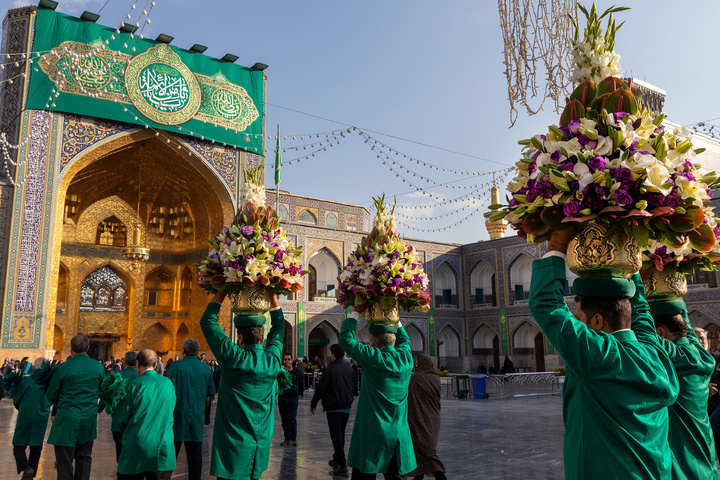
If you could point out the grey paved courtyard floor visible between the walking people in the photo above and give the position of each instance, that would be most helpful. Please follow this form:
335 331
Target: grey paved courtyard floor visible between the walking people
479 439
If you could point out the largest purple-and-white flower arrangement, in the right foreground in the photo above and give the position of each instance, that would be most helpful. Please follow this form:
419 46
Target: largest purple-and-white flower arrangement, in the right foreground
610 161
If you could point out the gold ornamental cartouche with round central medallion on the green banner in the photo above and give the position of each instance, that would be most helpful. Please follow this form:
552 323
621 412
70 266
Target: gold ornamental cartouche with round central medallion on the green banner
162 87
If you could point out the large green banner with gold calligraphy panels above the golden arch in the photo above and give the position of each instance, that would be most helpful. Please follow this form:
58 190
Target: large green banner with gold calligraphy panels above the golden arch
144 82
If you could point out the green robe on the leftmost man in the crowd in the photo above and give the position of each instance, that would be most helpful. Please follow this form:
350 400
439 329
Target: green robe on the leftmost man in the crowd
33 409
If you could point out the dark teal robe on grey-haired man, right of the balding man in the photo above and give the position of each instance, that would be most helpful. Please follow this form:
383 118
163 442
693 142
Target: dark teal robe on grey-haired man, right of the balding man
192 380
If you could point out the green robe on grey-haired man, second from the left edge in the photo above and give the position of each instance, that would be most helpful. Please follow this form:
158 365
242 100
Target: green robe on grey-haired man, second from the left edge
74 388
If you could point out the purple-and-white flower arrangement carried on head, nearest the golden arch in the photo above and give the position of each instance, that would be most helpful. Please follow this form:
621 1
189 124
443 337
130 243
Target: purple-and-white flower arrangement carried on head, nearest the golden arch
253 249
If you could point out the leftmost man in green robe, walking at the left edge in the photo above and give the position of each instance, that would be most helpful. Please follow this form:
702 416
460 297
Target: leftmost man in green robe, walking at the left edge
33 411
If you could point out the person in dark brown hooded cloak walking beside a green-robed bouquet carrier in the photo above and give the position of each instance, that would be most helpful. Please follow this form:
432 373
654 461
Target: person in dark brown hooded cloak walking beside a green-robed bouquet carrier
424 418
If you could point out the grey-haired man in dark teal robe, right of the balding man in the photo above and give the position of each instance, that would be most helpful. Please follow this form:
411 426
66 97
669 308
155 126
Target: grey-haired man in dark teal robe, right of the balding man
193 383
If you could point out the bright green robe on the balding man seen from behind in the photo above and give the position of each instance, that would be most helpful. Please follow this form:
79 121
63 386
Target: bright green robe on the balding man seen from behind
145 417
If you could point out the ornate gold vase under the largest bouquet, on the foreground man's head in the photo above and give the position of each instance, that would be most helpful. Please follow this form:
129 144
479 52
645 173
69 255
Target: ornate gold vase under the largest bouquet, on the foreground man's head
592 253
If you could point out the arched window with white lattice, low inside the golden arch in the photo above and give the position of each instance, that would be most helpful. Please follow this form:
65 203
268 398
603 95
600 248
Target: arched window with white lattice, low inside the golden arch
102 291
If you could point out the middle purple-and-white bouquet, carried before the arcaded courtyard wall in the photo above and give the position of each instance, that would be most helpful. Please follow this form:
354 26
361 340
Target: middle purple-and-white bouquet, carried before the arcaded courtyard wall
383 268
